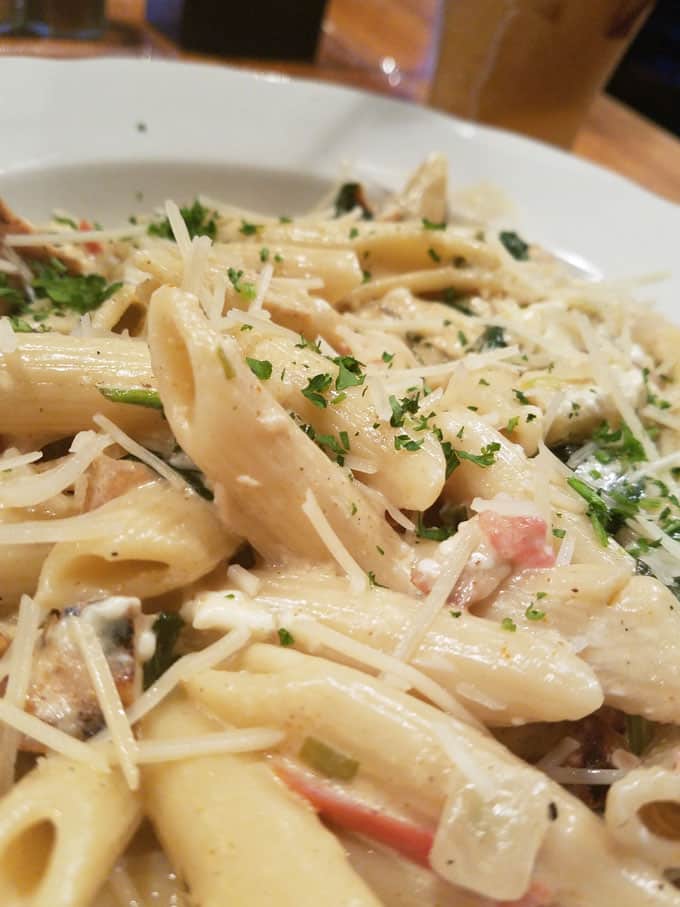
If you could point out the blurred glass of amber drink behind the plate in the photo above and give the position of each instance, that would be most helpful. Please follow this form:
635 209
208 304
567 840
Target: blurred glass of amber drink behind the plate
533 66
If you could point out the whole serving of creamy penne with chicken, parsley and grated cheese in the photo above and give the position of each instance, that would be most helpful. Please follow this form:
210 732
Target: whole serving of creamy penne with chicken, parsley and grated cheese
339 563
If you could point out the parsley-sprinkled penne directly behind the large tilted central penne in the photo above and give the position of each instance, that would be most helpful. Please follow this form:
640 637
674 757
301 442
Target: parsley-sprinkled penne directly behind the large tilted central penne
409 479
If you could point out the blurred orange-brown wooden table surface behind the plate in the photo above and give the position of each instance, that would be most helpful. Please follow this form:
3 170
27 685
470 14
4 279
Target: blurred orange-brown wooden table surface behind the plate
388 47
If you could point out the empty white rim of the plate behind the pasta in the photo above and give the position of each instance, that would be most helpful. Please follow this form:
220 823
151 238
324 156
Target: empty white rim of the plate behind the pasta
93 135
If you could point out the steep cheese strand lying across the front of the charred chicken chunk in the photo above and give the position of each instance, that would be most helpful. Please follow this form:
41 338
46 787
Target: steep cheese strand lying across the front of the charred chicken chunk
108 699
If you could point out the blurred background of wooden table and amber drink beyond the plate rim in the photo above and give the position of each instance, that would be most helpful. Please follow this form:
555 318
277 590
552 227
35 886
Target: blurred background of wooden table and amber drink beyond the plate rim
598 77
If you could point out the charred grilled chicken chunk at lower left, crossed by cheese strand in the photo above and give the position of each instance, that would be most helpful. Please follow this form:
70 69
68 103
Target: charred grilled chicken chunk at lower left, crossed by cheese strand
60 691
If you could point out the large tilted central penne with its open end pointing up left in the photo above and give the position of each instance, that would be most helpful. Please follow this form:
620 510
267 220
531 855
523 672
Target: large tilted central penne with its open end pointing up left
210 394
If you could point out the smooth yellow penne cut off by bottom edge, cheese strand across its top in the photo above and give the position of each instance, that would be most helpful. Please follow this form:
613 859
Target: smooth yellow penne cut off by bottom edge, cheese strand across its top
235 833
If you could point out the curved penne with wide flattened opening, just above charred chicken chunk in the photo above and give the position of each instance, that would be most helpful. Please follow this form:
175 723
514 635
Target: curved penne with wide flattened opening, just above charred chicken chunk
150 540
